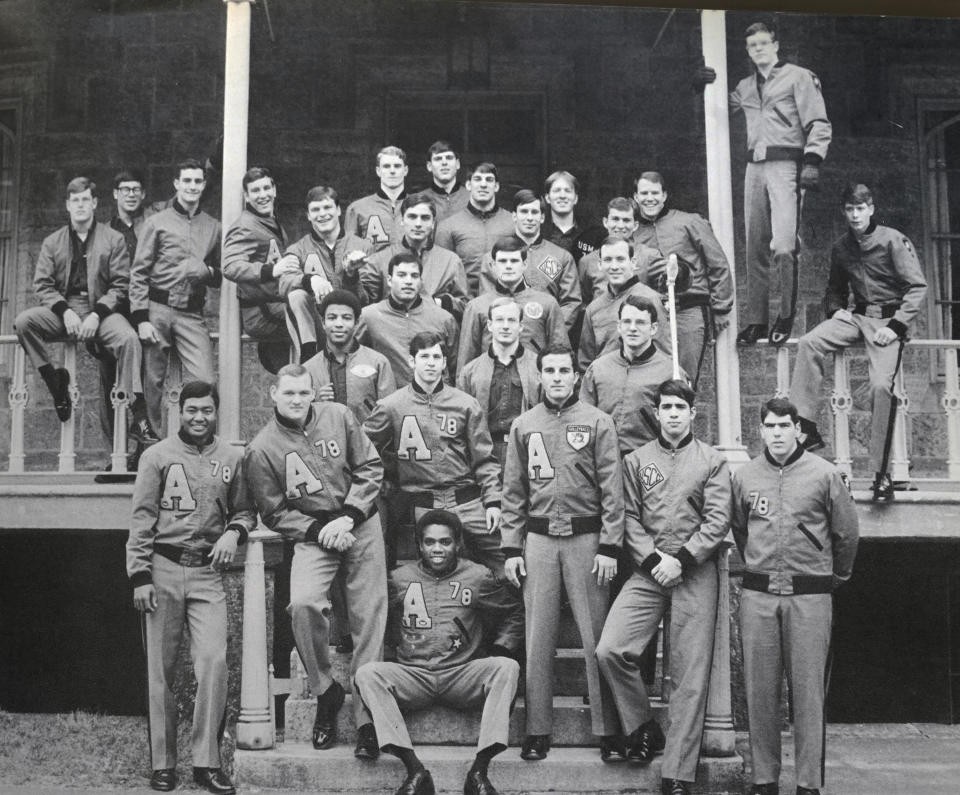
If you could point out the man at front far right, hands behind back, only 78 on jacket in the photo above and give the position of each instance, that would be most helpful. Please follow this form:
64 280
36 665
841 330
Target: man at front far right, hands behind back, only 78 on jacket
795 524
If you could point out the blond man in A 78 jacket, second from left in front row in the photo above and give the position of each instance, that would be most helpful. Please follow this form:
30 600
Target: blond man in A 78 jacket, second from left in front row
315 477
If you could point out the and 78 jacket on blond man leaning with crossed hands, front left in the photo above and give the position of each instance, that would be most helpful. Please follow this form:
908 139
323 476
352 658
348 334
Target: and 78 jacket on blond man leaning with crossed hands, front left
303 478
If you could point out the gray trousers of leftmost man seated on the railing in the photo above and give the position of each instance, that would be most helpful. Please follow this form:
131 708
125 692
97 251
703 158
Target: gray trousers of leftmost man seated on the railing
38 325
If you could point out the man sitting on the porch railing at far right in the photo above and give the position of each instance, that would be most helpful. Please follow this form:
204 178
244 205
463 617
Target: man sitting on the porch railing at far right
878 267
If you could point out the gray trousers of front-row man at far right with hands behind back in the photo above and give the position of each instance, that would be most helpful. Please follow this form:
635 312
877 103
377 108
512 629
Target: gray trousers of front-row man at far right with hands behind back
789 633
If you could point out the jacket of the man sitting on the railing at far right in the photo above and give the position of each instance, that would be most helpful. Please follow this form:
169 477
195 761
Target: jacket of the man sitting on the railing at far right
880 268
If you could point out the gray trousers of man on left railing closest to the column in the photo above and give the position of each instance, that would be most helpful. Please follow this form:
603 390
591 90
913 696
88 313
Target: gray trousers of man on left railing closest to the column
187 334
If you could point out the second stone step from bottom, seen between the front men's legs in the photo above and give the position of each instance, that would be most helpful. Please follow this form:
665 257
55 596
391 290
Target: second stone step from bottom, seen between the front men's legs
447 726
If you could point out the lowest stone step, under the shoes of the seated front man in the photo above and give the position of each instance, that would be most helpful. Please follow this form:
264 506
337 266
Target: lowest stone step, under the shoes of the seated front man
297 766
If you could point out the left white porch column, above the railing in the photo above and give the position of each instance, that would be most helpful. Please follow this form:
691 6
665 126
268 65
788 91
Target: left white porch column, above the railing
236 95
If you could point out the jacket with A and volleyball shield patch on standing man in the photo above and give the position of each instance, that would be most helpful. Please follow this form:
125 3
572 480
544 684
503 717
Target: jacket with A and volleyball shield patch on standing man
562 477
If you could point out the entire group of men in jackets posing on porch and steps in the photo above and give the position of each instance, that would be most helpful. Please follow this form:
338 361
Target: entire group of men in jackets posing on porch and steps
524 476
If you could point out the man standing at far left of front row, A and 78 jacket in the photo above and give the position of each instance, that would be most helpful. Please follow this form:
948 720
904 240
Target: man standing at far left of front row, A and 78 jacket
190 511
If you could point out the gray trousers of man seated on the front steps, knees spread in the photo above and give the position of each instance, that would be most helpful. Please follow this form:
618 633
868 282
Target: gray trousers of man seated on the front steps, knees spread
385 687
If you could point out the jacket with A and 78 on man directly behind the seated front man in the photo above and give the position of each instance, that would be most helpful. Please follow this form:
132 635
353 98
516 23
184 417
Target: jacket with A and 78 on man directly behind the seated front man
434 441
